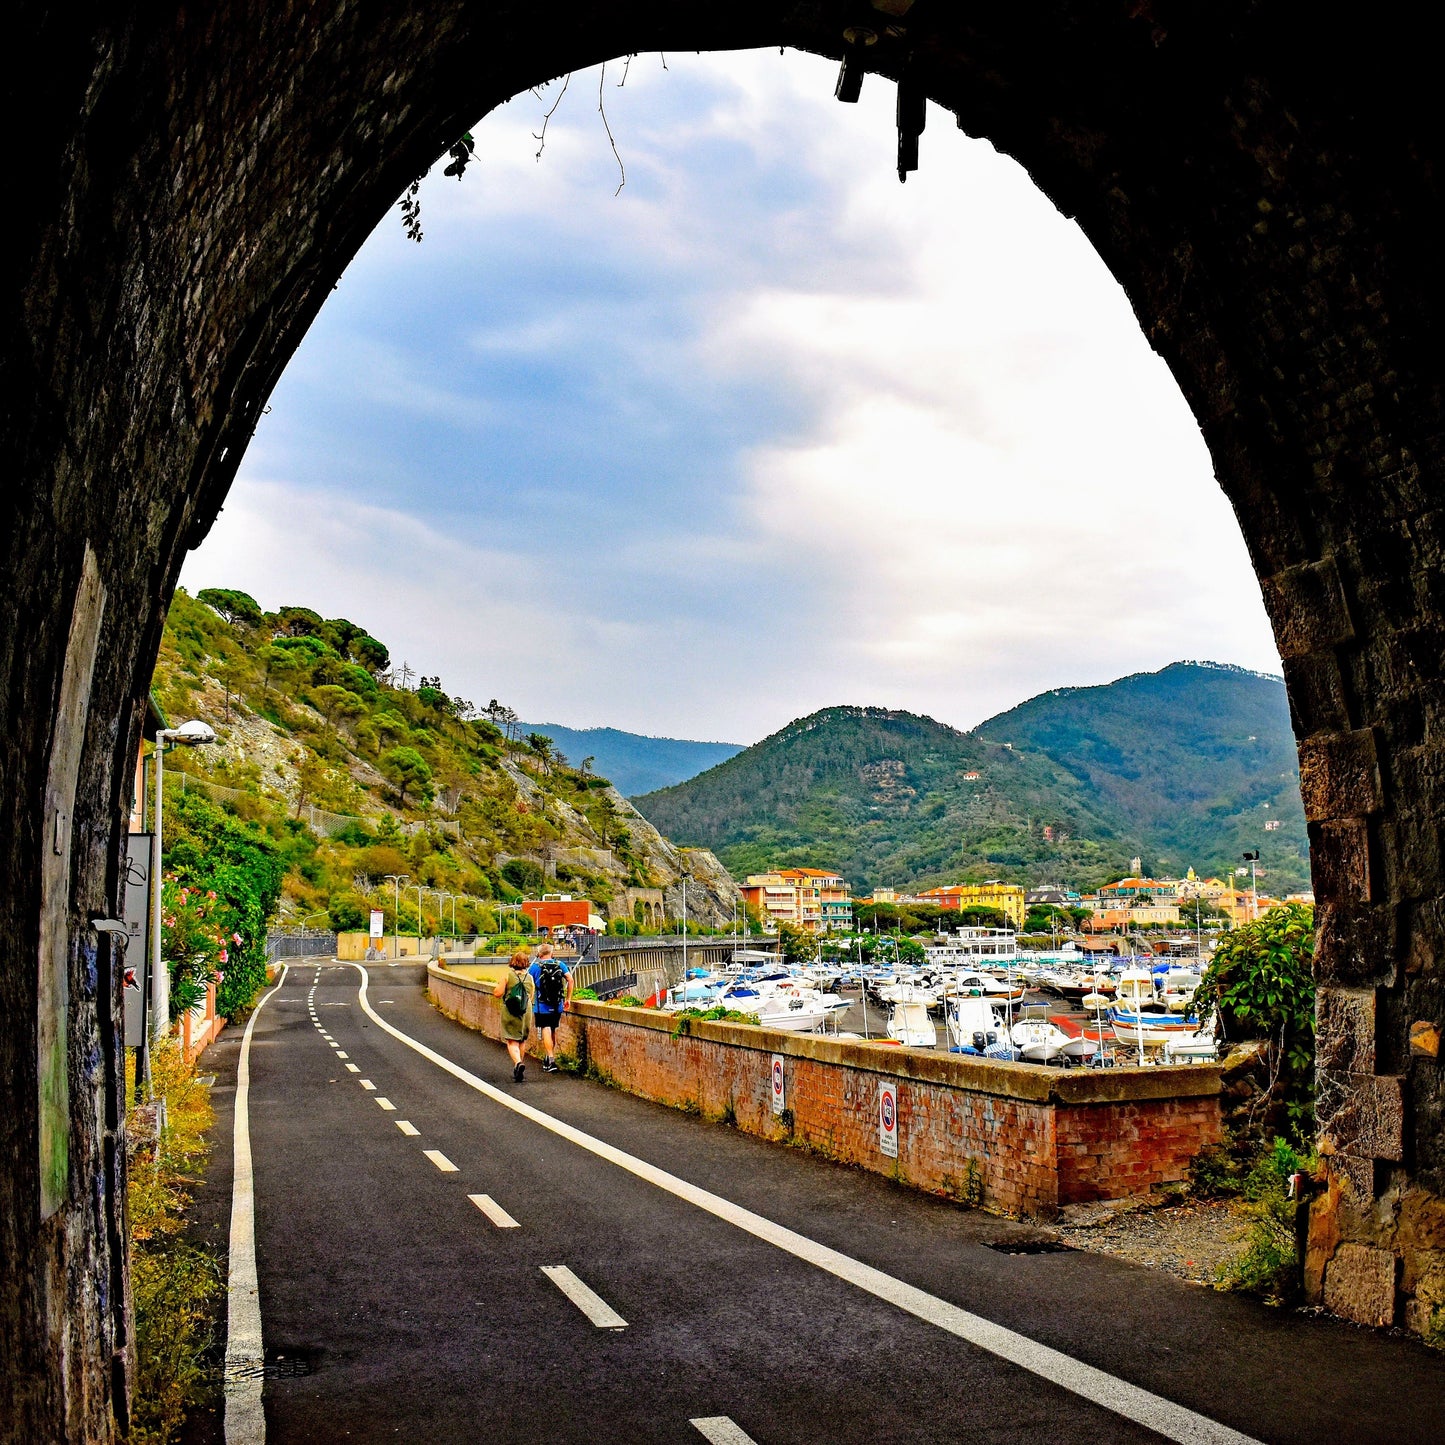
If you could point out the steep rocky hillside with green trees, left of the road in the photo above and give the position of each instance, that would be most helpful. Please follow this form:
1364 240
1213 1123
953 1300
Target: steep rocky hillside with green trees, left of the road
337 768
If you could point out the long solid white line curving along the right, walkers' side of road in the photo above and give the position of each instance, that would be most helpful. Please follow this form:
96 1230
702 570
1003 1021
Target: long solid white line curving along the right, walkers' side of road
1152 1411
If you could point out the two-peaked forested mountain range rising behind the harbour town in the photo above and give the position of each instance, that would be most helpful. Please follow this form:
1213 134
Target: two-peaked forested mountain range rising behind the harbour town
1176 767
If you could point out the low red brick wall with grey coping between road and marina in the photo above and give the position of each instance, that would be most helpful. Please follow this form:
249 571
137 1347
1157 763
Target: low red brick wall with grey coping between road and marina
1014 1138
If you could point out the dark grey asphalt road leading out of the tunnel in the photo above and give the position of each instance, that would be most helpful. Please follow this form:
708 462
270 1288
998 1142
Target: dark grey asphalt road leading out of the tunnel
395 1308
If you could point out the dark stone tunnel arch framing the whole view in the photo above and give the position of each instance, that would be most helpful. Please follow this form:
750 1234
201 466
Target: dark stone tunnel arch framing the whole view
194 181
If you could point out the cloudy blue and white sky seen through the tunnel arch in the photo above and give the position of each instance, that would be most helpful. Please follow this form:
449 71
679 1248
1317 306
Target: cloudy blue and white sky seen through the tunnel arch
762 433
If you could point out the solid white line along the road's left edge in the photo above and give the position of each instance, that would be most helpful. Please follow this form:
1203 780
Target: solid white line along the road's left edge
245 1358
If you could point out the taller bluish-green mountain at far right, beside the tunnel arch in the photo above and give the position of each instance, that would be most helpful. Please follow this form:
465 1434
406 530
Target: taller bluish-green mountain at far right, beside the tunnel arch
1194 761
